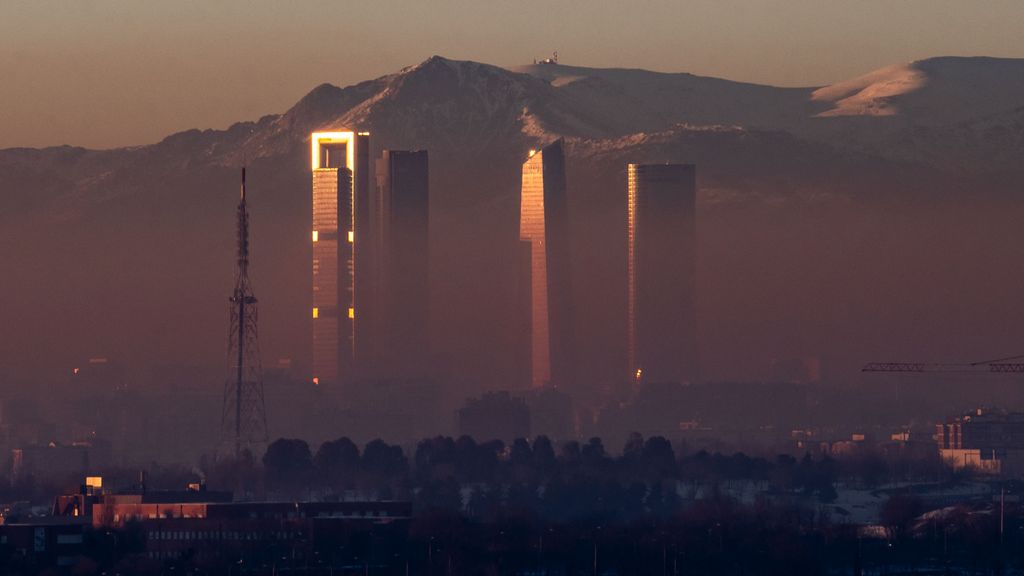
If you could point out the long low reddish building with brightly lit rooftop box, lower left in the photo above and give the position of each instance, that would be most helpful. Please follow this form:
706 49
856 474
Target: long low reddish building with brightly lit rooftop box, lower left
208 526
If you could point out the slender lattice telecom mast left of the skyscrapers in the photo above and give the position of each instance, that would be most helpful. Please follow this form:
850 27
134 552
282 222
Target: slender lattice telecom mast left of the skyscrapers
244 412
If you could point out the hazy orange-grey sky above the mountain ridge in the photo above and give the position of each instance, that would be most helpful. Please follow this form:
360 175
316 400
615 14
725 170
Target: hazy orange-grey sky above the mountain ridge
109 73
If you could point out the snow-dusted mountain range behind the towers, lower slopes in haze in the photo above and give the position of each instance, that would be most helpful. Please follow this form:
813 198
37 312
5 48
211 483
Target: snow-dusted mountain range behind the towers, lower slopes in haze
872 217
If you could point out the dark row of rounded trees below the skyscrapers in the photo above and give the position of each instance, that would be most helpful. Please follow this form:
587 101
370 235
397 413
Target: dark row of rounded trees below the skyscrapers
444 469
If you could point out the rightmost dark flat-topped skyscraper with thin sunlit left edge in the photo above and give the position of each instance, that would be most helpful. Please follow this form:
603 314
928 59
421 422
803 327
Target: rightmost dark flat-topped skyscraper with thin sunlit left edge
662 271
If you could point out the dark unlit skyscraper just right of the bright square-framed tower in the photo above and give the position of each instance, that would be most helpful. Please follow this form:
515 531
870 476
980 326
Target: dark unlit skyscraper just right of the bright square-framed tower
404 257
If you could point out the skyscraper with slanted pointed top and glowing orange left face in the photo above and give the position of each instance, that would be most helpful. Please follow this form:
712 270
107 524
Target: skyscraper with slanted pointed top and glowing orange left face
544 224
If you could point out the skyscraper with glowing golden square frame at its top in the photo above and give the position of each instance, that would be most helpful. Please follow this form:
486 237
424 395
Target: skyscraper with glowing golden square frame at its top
342 216
